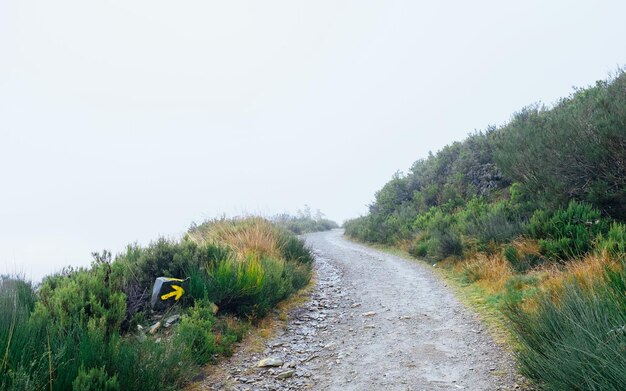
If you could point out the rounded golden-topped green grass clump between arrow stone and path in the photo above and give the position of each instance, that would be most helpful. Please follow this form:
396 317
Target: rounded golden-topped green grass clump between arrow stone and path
269 264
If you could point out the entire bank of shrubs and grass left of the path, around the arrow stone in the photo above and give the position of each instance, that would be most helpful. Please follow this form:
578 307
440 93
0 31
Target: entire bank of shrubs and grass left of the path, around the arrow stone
91 328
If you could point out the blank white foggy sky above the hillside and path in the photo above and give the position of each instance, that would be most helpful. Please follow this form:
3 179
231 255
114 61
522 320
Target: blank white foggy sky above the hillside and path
121 121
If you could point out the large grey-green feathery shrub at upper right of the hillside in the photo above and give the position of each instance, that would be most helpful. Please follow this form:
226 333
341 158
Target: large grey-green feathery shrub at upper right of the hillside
576 149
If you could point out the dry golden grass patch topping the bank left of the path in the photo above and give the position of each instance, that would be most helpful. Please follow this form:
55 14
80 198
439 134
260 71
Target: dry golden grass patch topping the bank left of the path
250 237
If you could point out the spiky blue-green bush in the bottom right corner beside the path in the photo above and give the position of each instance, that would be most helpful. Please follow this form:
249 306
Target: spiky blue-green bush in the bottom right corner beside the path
576 341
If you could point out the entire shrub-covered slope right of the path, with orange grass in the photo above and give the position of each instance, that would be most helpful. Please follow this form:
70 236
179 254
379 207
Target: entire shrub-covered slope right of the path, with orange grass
532 216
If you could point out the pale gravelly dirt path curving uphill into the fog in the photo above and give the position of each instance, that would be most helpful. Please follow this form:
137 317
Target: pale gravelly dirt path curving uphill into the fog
374 322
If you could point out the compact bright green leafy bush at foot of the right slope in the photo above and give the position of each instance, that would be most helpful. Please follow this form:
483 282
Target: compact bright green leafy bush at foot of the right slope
567 233
